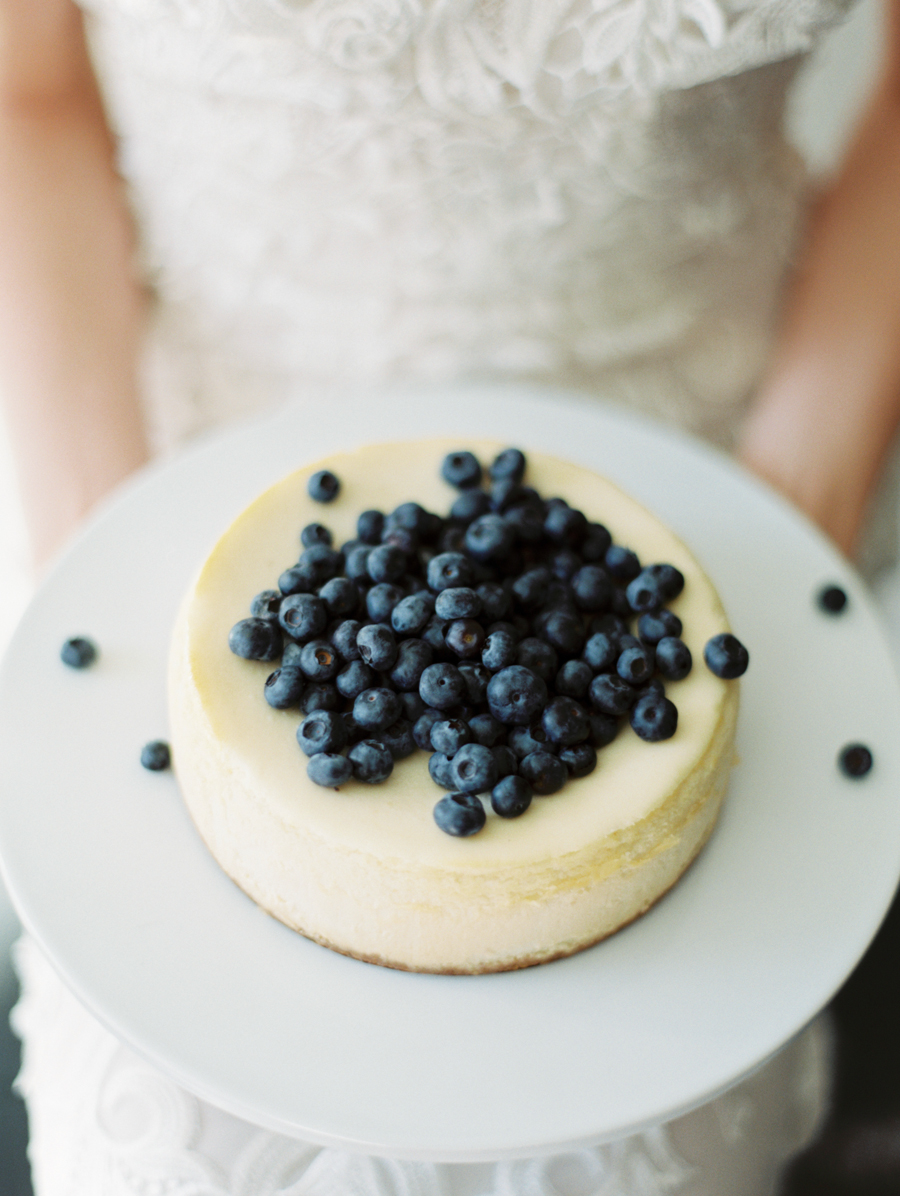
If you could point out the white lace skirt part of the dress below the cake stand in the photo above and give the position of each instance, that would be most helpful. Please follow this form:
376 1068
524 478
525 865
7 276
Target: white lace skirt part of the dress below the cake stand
106 1124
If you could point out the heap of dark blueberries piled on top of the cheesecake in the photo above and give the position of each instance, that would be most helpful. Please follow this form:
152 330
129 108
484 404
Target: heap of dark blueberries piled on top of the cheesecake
500 638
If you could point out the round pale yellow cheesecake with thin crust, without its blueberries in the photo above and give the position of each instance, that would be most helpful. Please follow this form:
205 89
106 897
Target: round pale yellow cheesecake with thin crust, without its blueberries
364 869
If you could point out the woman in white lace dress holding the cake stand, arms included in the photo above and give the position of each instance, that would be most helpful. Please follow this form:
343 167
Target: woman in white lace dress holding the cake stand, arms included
317 196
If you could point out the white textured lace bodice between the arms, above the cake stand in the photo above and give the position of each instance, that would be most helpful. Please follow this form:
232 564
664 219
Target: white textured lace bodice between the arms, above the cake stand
352 192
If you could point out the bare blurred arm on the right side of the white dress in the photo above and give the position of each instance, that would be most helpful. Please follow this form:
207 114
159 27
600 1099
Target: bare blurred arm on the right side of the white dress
830 406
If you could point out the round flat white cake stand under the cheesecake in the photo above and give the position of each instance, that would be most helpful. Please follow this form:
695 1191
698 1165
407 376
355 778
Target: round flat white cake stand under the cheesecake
114 883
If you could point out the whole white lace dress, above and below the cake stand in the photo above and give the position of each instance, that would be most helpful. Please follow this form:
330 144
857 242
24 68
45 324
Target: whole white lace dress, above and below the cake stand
342 193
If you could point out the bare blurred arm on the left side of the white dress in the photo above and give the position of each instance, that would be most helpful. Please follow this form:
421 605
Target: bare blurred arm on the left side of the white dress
71 309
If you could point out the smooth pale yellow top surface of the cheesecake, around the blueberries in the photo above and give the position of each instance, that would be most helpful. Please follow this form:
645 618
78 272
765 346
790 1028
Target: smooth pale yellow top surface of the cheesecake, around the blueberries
395 821
